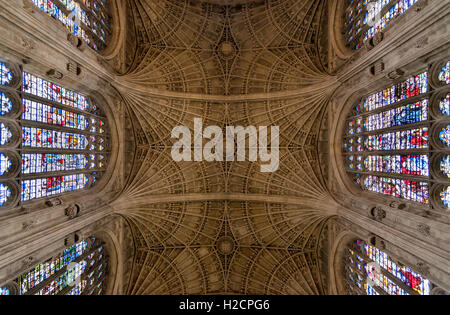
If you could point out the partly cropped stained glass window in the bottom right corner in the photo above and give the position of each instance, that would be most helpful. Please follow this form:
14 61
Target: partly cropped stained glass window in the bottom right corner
370 271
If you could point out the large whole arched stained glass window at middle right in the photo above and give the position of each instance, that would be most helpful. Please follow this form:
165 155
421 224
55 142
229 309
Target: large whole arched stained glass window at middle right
397 142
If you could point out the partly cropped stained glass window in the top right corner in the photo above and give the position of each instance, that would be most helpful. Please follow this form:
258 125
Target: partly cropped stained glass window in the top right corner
364 18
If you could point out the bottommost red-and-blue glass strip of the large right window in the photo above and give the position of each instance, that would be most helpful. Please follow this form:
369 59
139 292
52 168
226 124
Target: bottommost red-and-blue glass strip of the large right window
400 188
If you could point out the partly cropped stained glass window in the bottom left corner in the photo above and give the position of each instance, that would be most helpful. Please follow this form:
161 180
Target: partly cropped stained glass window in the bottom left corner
79 269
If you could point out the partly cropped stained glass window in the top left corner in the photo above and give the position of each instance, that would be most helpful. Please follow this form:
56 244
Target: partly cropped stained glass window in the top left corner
87 19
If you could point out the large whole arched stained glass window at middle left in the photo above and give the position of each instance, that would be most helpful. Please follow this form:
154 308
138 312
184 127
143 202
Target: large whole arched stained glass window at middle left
53 140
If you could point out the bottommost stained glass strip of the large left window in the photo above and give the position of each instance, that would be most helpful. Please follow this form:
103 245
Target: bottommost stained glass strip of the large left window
44 187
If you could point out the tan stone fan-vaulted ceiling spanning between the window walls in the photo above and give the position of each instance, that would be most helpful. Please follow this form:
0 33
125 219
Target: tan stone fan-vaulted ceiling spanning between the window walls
202 227
